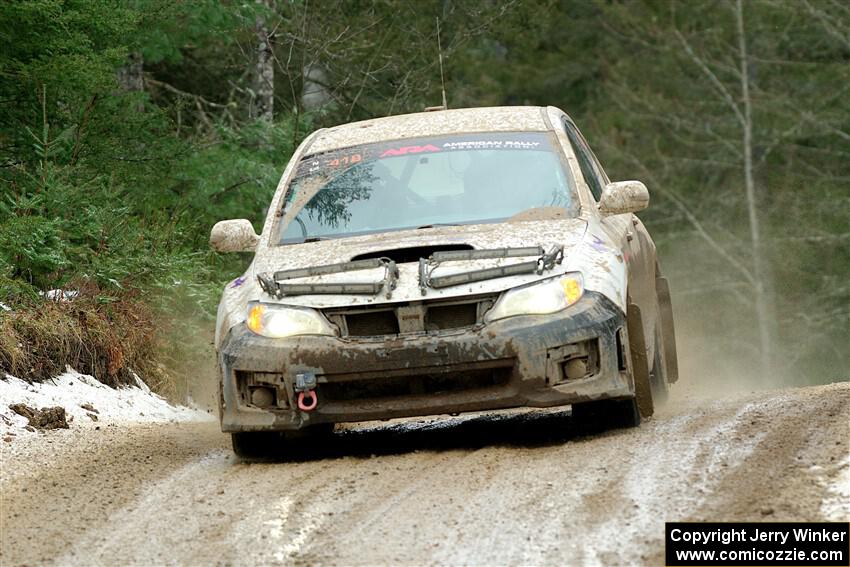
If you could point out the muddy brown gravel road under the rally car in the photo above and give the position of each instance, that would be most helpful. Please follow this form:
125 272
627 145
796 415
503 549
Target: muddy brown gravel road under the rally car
491 489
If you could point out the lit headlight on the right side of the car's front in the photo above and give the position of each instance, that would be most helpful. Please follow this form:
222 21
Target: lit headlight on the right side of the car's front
543 298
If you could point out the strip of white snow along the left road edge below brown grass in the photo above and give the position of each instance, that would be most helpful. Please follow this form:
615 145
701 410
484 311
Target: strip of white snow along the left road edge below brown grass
71 390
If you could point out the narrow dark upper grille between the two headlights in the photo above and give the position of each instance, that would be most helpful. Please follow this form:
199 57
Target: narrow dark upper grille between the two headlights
410 317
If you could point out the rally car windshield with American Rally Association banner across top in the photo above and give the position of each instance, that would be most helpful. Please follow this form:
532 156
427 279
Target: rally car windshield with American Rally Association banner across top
422 182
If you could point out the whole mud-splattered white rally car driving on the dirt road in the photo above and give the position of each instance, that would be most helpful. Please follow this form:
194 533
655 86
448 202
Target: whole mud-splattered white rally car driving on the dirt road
438 263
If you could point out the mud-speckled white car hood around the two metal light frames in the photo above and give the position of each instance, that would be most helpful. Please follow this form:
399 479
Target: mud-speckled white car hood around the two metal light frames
543 233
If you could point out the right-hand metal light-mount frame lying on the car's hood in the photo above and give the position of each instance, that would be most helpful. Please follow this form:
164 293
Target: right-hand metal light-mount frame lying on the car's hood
545 261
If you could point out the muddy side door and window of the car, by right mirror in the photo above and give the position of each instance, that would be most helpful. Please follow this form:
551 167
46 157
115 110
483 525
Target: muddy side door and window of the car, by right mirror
626 230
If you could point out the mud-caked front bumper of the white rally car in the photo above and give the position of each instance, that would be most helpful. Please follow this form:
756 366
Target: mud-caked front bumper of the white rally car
515 362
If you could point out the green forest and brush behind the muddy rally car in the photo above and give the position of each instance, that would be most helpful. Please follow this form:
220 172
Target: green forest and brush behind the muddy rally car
128 128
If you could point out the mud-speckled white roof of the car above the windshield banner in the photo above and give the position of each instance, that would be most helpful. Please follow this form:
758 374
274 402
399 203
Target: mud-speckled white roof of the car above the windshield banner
435 123
